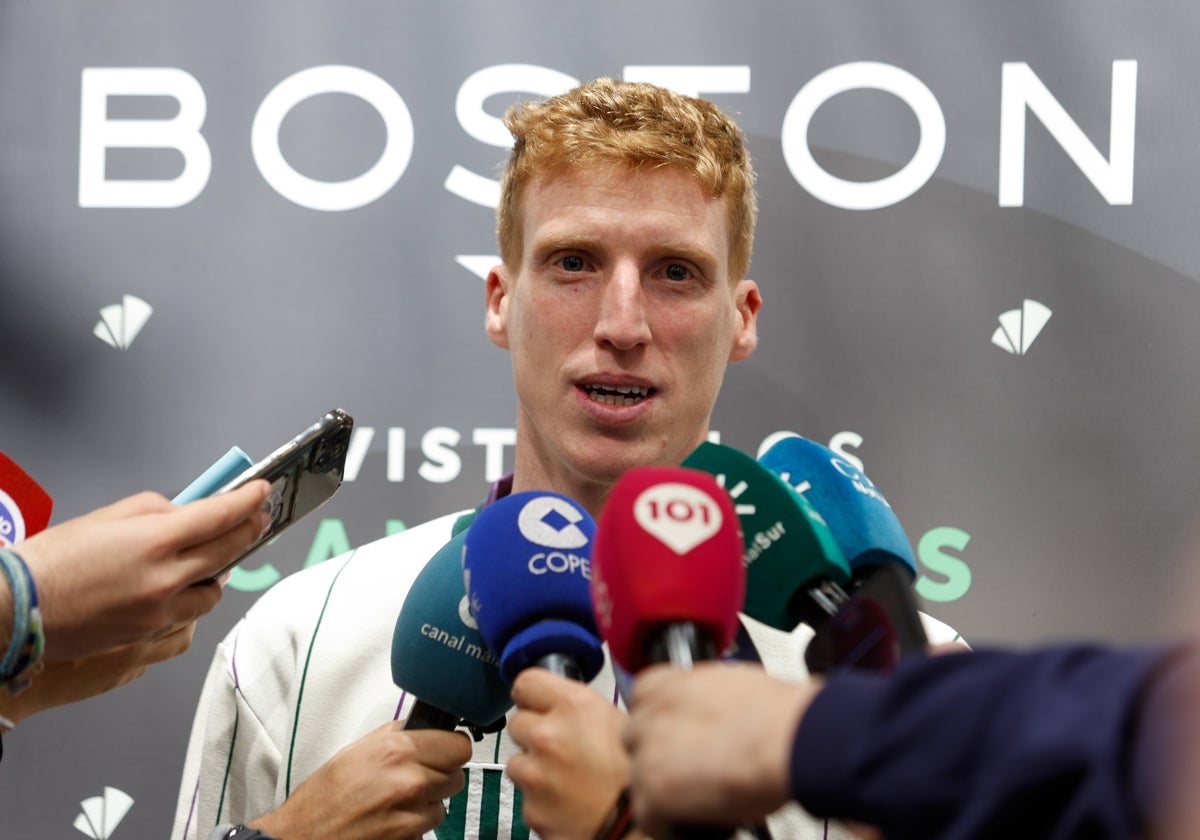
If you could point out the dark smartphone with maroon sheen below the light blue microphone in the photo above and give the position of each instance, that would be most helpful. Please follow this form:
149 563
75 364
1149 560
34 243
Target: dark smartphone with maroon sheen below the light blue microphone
878 628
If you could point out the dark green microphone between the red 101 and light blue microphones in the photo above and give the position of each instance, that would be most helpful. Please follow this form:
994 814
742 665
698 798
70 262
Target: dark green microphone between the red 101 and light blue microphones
796 571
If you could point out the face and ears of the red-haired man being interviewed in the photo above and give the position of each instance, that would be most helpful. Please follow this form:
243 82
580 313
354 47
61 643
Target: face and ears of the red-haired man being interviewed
621 323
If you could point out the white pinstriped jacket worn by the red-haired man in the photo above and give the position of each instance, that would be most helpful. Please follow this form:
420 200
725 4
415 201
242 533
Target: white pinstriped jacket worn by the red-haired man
309 670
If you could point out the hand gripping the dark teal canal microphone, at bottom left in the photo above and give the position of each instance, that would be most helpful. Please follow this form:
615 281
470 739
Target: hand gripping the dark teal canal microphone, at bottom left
388 785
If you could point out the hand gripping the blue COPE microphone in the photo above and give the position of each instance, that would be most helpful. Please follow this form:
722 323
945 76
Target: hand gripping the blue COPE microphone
573 766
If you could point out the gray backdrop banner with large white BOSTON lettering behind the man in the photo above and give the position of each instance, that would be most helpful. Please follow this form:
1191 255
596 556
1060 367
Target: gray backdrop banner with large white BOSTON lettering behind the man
977 253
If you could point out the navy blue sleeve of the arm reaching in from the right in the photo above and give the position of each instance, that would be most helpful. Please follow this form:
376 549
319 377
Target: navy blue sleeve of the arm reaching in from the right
991 745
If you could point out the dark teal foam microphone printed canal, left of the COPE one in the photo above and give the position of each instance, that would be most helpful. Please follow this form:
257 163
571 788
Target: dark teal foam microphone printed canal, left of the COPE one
439 656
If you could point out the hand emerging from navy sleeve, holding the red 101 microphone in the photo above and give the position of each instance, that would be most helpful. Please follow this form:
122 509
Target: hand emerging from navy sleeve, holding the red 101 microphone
746 721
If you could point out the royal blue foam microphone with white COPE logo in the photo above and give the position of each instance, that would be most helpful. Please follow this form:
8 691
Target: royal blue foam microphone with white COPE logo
527 569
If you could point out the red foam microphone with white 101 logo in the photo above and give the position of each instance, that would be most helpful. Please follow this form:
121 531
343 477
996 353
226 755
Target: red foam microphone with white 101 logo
668 579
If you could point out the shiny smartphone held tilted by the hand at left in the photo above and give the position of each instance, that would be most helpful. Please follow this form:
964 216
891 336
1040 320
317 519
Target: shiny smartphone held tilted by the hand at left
304 473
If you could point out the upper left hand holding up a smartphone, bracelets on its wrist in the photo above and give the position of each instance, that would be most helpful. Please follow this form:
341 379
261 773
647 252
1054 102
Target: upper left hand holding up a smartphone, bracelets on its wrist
139 569
